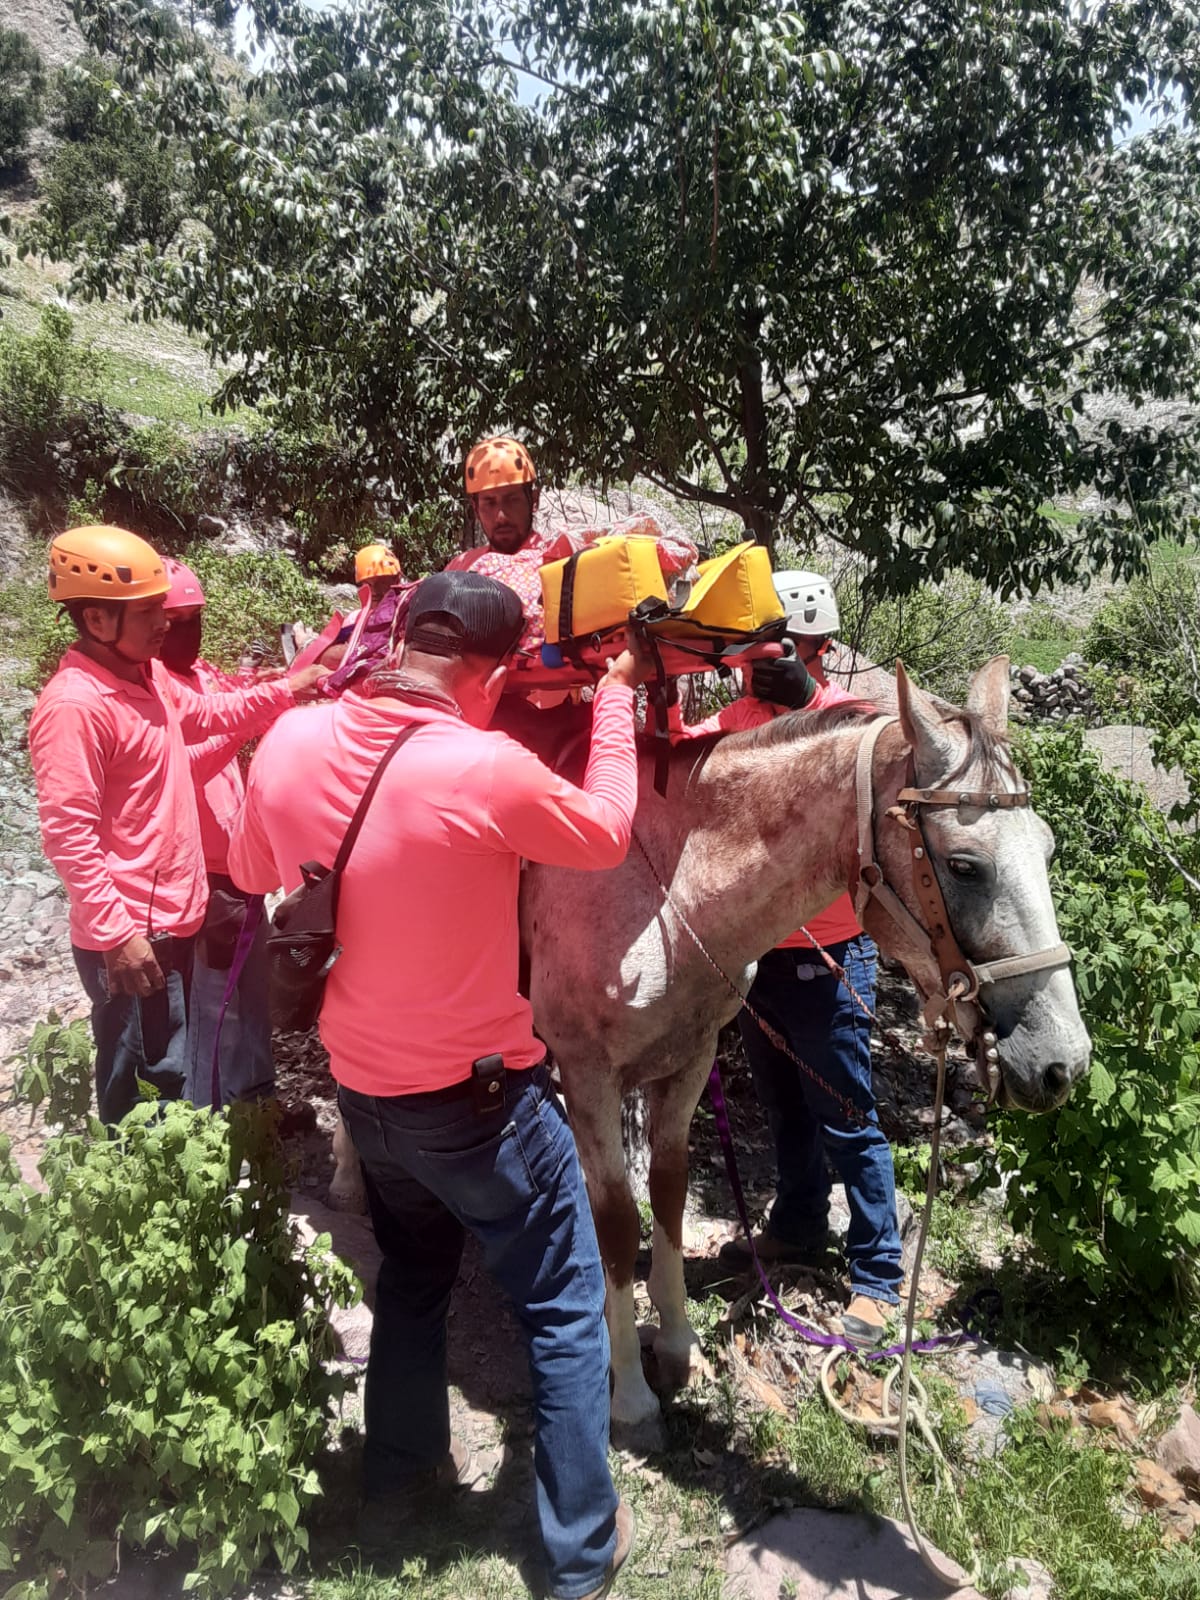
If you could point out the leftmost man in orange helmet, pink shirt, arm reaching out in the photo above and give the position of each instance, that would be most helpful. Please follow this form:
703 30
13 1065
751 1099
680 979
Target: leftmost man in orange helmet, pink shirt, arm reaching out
118 807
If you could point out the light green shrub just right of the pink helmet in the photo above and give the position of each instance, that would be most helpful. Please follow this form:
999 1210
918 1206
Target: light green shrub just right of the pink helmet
249 598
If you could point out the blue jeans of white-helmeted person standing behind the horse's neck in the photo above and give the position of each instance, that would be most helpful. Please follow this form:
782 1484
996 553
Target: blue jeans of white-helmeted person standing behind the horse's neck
812 1009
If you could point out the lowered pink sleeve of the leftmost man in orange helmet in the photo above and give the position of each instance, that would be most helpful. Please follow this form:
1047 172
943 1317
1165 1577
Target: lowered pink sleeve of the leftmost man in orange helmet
70 754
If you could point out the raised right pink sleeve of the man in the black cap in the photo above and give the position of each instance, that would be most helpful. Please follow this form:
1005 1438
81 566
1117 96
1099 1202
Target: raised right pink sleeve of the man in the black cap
542 817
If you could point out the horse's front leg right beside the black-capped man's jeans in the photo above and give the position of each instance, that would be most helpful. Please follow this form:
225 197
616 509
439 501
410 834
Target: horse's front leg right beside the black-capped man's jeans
596 1121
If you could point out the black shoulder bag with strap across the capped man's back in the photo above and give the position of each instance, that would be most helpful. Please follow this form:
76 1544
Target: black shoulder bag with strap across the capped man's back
303 942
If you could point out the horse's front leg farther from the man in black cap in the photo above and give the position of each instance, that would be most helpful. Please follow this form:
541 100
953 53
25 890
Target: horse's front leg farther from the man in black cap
678 1348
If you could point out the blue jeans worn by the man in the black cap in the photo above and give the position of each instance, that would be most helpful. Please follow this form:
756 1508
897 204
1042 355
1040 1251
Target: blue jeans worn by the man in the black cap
436 1169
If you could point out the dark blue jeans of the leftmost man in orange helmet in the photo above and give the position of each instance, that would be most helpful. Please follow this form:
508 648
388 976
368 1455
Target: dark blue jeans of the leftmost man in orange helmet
137 1039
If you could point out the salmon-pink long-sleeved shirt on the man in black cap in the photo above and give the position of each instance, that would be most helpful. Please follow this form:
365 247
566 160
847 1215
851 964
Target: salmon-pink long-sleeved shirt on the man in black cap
428 908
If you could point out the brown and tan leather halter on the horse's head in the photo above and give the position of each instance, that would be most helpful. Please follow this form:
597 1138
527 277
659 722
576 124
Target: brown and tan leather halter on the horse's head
961 978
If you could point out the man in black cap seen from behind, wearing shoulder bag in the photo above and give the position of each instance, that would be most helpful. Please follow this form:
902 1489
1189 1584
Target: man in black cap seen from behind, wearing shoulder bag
442 1081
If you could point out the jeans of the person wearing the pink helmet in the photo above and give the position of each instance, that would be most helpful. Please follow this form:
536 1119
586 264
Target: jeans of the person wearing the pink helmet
247 1063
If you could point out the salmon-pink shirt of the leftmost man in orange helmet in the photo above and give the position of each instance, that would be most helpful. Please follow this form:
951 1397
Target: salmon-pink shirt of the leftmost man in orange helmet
116 801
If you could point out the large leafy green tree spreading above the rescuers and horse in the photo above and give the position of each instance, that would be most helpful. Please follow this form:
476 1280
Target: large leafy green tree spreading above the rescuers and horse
866 270
